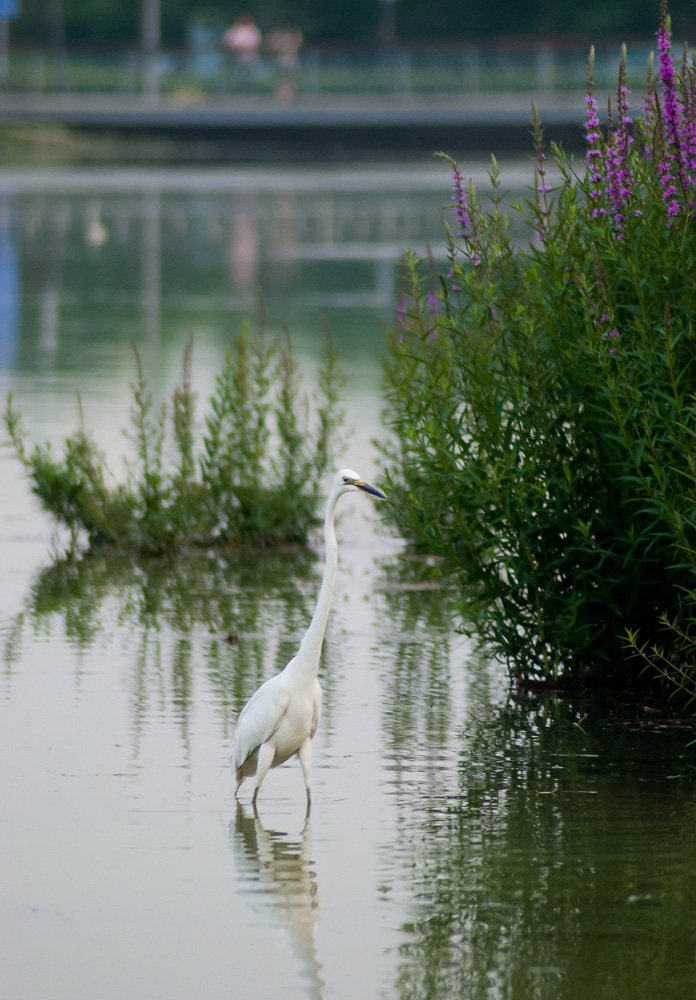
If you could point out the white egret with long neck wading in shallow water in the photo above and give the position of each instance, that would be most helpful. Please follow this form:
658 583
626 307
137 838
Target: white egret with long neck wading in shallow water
281 717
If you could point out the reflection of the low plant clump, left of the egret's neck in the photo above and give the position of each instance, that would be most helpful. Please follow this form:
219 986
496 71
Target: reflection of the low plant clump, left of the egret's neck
239 615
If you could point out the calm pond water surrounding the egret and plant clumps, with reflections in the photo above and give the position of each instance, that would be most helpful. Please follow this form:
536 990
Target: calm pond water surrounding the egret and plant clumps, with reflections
465 842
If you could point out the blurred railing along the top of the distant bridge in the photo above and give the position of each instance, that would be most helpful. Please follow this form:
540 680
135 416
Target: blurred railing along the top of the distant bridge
399 72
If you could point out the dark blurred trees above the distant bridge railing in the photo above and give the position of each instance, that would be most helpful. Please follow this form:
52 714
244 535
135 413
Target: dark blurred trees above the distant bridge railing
99 23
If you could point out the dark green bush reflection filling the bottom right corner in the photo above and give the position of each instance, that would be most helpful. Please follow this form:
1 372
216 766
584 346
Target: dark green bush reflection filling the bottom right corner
561 865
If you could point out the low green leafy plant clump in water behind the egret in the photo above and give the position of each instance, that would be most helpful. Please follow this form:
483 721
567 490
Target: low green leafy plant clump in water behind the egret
254 477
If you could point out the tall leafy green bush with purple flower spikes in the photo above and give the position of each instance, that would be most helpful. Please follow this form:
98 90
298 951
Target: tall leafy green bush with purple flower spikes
543 403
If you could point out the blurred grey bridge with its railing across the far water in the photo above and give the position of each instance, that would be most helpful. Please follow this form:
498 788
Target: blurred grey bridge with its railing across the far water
329 101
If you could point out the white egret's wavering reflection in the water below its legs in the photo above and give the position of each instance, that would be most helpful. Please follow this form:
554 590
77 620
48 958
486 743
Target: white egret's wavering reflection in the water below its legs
279 875
